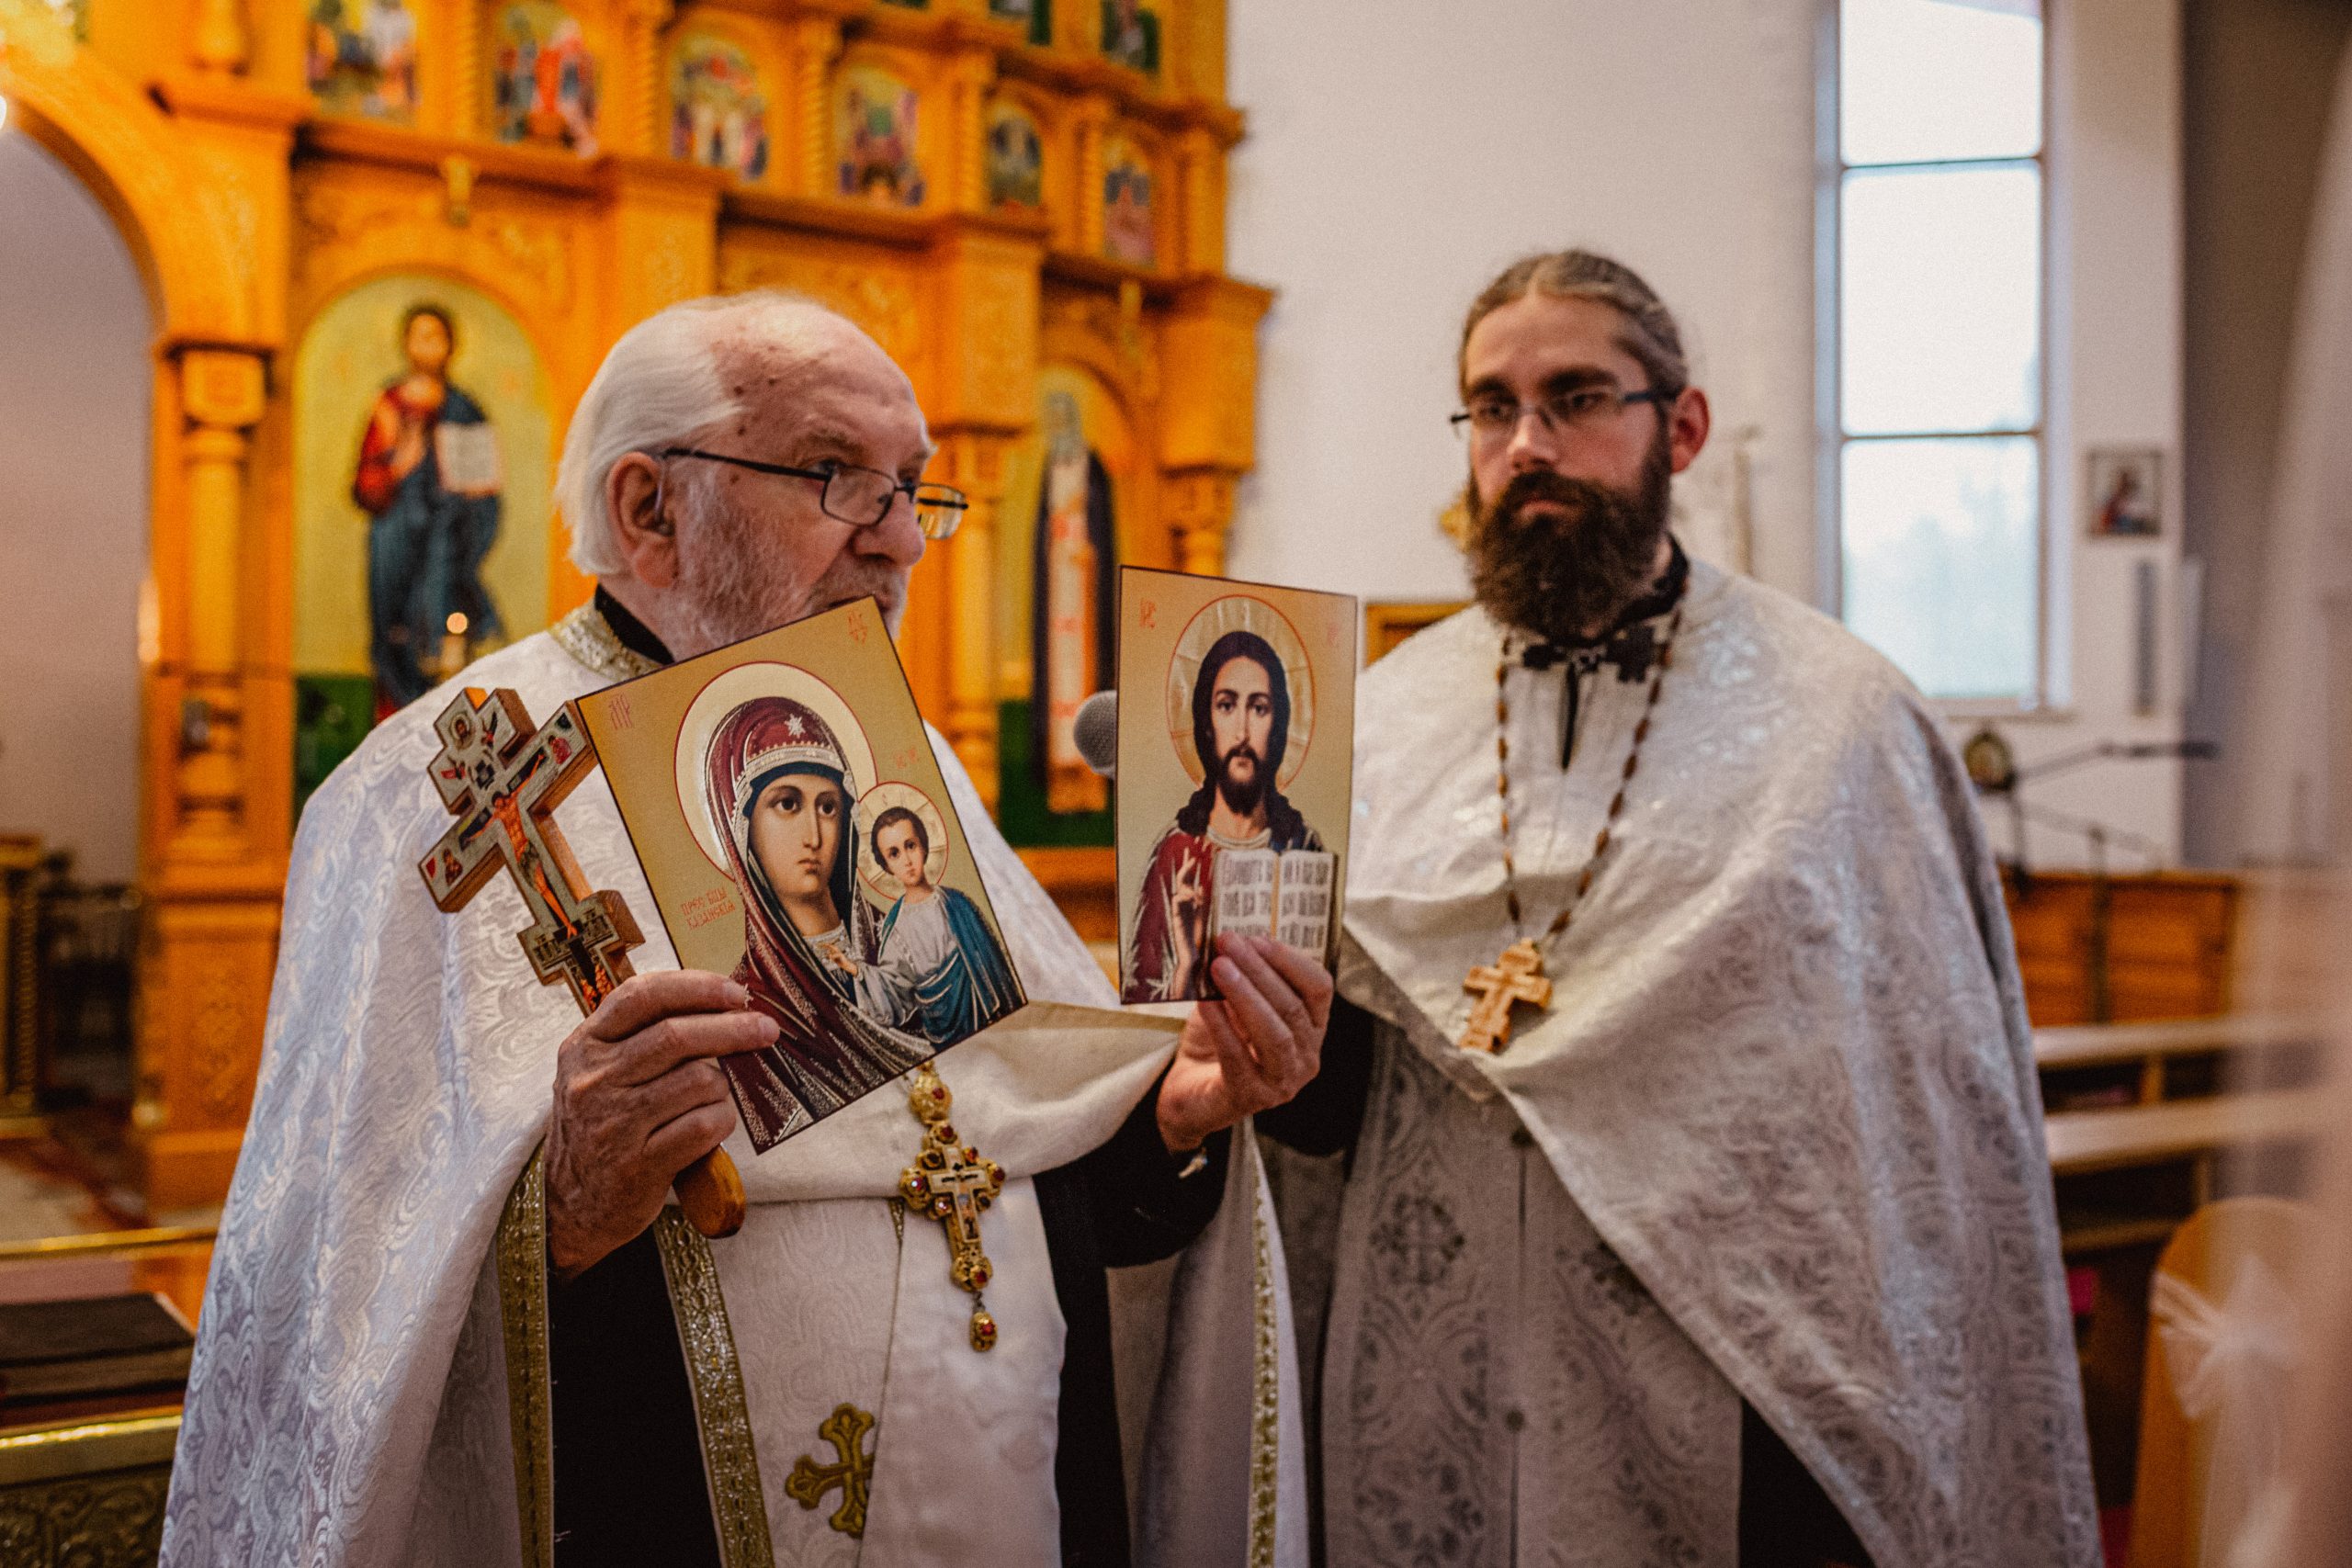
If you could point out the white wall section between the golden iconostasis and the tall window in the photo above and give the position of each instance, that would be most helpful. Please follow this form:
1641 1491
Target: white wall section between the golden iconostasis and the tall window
1401 154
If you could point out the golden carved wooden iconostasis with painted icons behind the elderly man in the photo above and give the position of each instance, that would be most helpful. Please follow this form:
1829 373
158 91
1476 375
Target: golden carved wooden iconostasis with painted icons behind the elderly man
359 210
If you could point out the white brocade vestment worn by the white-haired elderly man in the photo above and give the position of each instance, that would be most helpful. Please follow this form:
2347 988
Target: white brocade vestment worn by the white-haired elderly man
349 1400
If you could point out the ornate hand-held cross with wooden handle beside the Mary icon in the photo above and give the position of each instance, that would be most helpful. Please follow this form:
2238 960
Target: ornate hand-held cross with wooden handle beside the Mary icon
505 779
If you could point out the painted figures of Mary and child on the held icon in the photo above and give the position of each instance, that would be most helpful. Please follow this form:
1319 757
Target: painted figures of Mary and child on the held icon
860 996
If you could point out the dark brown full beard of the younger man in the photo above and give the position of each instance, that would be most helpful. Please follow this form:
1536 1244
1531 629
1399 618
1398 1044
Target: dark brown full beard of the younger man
1568 579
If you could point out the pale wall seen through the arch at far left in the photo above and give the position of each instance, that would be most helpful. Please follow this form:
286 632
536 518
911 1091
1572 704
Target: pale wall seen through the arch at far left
74 504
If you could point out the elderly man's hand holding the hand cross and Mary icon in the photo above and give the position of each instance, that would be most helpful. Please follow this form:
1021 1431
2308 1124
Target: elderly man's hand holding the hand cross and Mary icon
636 1101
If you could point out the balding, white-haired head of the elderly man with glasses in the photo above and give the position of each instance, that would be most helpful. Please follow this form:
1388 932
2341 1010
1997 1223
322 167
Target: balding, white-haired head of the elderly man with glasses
669 488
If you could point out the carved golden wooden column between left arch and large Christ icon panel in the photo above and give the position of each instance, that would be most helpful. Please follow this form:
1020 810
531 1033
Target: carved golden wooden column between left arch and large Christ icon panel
218 697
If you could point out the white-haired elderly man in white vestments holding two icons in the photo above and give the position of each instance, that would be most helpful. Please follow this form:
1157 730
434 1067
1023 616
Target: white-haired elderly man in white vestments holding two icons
432 1343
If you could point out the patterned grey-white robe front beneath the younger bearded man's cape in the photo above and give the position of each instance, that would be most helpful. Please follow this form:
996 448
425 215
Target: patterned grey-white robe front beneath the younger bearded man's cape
1506 1376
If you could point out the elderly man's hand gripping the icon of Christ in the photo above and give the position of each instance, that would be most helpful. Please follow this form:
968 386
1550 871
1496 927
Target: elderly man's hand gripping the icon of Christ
1250 1052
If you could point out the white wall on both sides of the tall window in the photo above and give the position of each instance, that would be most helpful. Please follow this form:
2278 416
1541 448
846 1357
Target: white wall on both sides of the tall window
1401 154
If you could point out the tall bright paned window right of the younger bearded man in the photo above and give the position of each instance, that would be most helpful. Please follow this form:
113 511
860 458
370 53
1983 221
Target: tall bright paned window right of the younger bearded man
1935 401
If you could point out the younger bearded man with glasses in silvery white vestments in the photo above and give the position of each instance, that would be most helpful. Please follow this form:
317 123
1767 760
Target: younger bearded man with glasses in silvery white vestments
1697 1202
